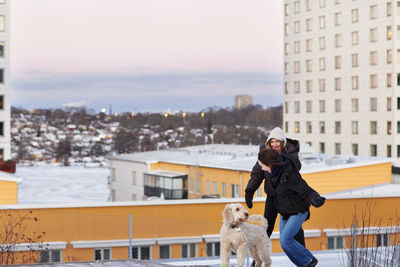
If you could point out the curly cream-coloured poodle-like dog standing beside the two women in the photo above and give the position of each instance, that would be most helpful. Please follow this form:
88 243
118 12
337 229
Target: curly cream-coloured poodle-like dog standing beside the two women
237 235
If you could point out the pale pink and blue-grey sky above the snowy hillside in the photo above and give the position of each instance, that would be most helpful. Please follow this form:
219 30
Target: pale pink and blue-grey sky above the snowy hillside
145 55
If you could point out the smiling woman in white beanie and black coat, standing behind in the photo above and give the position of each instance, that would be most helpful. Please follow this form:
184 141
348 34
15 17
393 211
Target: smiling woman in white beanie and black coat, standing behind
288 147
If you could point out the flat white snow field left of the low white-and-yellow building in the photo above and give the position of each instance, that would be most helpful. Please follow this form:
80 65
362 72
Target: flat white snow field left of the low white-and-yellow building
57 184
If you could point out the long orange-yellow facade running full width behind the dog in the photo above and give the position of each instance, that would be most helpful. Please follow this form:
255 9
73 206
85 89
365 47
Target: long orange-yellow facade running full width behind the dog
167 228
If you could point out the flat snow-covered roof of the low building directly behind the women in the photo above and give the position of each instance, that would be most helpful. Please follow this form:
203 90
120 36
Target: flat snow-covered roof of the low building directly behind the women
243 157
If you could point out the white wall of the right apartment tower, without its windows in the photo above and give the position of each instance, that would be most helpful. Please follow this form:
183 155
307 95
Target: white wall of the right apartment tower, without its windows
364 93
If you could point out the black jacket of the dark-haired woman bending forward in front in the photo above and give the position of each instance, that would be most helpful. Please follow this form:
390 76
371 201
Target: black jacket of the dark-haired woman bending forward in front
292 193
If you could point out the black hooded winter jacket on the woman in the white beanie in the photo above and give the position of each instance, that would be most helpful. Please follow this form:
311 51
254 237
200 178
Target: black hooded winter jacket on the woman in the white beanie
291 150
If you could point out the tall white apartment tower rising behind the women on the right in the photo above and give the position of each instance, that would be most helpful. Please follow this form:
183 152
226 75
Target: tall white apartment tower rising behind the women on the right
342 76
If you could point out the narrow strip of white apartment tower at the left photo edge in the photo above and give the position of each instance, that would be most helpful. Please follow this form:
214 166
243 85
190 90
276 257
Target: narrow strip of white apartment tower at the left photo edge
5 118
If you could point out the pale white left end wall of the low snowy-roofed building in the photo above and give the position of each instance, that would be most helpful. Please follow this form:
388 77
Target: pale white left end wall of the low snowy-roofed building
121 182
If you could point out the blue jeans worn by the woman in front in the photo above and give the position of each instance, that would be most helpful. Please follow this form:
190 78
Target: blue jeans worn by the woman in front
296 252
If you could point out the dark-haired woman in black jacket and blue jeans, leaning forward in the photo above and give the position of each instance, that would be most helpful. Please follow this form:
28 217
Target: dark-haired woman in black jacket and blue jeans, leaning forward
293 198
